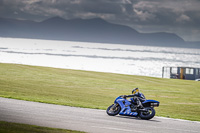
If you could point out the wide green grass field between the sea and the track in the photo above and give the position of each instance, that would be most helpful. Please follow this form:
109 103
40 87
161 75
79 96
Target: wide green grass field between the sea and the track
178 98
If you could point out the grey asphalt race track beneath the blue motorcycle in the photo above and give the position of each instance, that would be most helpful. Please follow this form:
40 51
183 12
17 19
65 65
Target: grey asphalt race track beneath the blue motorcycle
88 120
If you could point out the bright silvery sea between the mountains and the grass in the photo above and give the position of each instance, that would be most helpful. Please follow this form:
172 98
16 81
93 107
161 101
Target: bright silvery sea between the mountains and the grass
100 57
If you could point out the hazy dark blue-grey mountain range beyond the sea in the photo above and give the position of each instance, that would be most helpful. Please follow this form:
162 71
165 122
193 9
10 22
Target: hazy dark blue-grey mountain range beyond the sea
86 30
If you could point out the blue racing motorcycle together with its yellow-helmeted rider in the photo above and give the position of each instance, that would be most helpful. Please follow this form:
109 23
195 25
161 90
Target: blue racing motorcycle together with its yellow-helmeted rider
137 106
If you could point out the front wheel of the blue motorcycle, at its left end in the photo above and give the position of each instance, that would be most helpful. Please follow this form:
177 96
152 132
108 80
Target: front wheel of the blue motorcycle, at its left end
113 109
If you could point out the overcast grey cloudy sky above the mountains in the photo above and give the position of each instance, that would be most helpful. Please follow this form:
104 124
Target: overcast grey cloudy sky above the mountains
175 16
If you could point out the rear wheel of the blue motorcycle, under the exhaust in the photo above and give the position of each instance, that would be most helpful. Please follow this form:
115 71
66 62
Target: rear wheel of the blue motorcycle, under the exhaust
148 114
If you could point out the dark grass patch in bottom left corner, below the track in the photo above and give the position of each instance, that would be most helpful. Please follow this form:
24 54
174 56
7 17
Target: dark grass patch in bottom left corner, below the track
7 127
